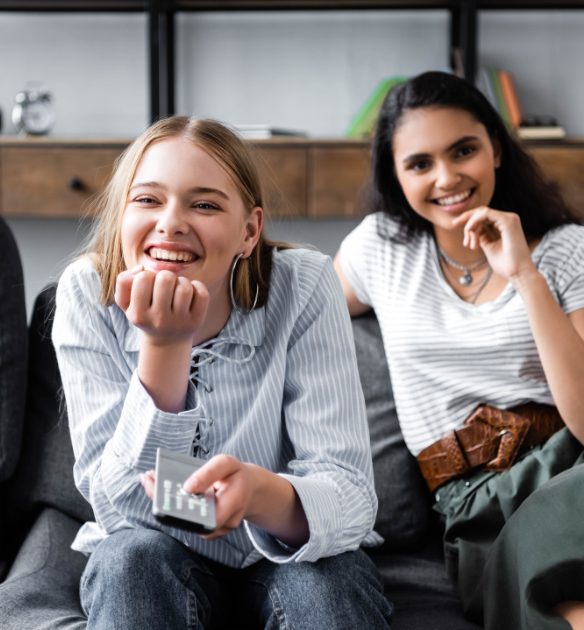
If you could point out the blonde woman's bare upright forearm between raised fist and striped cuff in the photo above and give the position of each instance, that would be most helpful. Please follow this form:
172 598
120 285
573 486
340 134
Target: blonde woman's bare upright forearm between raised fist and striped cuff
163 369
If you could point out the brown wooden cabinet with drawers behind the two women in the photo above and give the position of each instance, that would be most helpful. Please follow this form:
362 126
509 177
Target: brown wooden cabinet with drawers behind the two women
302 178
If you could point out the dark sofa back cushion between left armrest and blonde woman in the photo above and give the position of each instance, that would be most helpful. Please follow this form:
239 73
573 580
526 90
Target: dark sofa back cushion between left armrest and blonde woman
44 475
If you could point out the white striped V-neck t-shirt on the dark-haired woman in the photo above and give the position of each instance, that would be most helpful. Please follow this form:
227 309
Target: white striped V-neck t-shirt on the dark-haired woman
445 355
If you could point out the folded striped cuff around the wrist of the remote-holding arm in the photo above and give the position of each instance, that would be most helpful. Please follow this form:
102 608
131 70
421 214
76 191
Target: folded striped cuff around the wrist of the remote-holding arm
325 522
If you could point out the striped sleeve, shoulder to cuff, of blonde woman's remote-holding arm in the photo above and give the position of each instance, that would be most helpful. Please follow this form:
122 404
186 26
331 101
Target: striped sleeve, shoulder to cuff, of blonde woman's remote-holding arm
324 412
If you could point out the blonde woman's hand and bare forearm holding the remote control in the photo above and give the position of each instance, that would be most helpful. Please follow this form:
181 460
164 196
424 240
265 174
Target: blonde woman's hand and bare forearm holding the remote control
246 491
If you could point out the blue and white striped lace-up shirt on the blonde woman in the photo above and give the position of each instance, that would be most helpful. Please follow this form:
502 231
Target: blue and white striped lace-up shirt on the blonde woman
282 392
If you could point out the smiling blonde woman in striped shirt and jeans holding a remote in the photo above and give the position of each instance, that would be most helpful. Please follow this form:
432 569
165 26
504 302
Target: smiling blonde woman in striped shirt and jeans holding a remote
186 328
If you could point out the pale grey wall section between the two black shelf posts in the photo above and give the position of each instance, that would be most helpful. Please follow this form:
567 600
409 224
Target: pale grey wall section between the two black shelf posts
306 71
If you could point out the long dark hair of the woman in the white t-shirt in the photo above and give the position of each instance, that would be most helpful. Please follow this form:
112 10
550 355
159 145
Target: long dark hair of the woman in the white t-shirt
519 183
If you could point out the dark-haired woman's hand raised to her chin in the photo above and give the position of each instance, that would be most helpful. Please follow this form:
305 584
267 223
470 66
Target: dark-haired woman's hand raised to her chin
500 236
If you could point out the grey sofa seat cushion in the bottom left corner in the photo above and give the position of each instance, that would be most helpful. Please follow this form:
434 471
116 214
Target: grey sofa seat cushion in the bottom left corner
41 591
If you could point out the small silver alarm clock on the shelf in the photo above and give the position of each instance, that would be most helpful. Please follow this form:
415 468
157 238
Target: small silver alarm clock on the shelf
34 112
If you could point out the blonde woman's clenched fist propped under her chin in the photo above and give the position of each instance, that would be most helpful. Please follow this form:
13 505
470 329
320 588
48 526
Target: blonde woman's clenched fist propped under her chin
166 307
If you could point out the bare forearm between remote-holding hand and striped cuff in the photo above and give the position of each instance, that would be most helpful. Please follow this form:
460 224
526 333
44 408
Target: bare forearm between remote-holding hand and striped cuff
277 509
